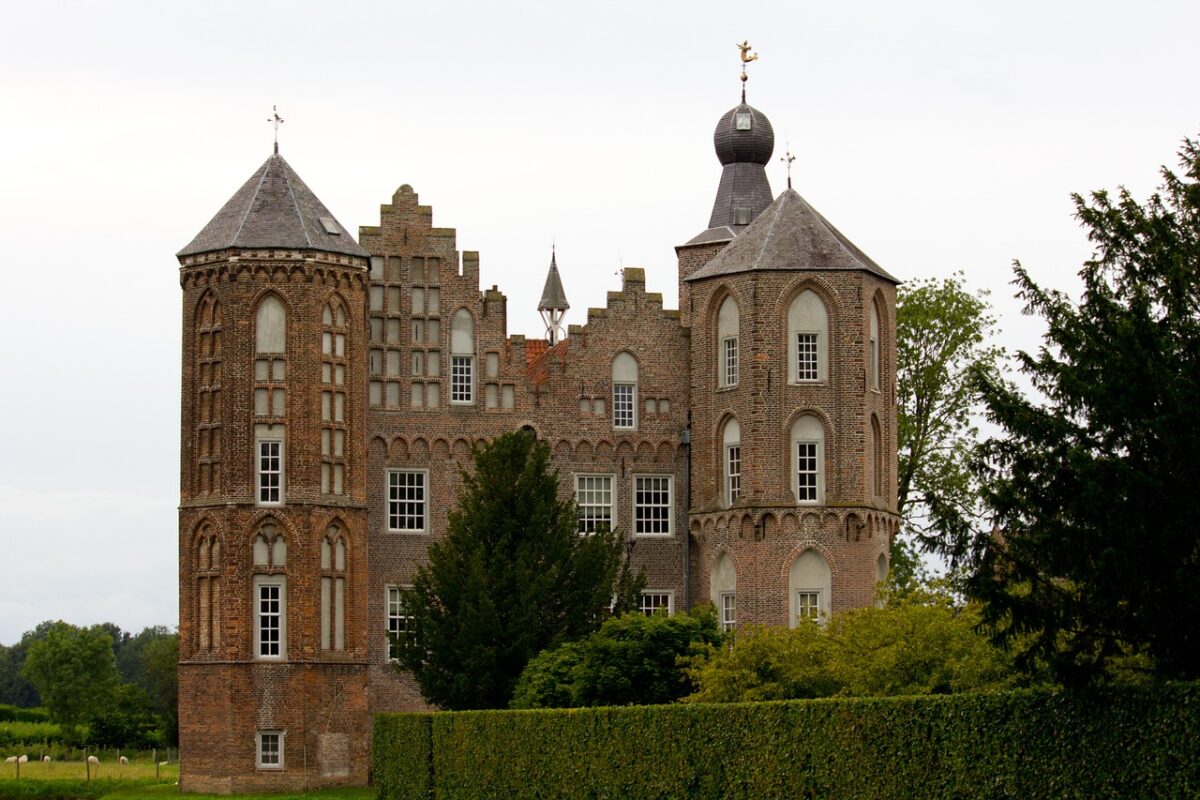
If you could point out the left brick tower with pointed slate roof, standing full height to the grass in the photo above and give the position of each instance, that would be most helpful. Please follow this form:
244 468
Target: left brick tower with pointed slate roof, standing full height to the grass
273 496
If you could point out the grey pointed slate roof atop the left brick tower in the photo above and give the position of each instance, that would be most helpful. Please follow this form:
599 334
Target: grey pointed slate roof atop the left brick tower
275 209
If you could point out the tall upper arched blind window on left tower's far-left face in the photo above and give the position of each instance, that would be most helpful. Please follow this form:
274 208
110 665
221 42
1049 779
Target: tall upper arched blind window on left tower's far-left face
207 356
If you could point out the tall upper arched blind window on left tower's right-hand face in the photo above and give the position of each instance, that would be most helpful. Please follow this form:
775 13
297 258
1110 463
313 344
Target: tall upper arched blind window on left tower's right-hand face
333 399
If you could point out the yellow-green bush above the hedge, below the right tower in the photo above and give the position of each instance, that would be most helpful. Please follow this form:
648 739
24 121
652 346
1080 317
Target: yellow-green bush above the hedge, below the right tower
920 645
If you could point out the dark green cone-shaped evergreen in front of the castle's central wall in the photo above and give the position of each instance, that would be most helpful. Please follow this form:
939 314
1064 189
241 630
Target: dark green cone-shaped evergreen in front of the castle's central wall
512 578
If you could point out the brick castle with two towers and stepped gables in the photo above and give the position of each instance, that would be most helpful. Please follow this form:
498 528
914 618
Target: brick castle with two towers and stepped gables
332 392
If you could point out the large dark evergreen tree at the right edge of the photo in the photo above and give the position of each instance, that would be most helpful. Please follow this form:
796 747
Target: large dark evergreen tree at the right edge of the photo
1094 556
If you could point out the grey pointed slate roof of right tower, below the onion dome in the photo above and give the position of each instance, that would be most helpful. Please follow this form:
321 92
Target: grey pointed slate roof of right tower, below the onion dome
790 236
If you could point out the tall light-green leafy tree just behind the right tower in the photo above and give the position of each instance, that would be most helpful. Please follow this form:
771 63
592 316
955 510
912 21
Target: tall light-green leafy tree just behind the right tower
943 335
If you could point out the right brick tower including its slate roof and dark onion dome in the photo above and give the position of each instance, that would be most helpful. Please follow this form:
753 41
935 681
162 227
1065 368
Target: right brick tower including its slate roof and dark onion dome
793 399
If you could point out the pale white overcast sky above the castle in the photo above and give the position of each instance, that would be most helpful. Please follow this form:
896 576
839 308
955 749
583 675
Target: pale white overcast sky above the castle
938 136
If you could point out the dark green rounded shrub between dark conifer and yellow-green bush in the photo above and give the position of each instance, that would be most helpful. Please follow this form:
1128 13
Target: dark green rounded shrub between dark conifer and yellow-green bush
632 660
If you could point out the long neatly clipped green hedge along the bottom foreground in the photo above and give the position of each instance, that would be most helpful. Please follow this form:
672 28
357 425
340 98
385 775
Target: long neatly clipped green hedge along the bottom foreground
1127 743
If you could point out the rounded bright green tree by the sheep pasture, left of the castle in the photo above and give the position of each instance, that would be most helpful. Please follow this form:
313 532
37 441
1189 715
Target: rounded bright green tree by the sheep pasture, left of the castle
74 671
